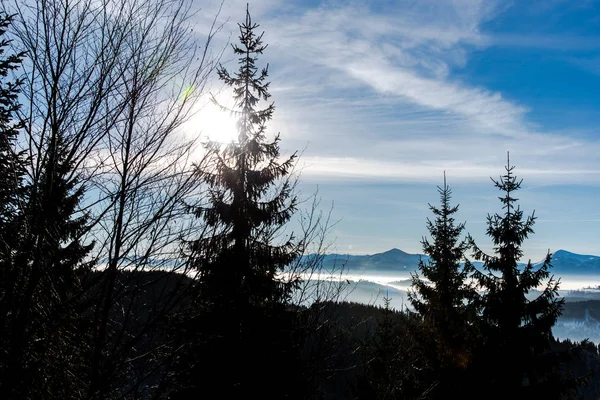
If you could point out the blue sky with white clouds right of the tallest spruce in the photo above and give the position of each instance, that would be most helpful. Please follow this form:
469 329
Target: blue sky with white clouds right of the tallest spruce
381 97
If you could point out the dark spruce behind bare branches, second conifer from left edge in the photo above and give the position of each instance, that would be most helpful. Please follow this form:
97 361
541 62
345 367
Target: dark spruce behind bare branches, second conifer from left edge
43 332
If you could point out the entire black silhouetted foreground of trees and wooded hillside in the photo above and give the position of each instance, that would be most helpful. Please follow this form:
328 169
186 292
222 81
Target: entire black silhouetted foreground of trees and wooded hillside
132 268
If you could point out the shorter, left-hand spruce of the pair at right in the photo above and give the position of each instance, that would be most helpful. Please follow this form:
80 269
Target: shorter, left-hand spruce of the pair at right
445 299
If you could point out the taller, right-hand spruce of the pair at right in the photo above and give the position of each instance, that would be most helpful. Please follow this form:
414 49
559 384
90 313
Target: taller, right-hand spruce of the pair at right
516 359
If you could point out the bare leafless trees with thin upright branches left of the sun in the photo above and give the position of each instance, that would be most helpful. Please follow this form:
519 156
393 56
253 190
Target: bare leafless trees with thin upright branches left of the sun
115 80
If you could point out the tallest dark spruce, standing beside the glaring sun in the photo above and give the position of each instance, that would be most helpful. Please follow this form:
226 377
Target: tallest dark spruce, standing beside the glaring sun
245 198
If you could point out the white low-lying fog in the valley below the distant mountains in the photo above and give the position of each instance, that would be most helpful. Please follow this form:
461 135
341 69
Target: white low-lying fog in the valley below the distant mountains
579 322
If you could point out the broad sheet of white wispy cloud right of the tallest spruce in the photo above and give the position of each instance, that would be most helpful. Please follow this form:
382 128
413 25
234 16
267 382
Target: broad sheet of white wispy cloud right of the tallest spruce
371 92
